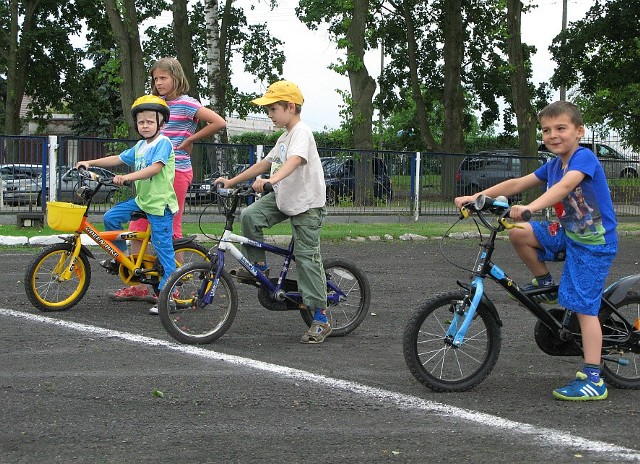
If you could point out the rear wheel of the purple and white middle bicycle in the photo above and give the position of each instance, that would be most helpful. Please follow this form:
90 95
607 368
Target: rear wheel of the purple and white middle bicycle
345 316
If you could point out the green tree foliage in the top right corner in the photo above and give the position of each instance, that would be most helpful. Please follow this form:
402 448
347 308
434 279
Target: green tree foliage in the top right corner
600 56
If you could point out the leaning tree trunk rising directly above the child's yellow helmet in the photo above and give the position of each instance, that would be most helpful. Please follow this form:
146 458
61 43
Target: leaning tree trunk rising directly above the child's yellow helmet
132 73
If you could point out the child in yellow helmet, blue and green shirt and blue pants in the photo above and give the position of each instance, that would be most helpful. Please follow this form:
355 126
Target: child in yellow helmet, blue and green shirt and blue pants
154 170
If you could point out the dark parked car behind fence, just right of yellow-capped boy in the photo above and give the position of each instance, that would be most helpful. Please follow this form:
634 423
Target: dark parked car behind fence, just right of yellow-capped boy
339 177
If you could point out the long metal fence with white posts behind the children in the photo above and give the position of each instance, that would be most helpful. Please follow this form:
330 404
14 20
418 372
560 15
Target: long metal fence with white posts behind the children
381 183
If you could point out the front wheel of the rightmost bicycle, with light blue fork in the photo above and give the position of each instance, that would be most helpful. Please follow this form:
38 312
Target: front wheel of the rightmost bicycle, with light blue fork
438 365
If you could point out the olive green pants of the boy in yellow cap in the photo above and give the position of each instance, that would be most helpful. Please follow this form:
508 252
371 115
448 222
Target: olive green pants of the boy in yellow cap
305 229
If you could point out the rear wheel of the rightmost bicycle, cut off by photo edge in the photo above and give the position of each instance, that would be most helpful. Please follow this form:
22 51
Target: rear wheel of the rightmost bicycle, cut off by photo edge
616 374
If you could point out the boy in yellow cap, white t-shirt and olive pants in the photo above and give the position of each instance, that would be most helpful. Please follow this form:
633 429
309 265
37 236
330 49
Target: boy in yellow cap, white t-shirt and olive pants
299 195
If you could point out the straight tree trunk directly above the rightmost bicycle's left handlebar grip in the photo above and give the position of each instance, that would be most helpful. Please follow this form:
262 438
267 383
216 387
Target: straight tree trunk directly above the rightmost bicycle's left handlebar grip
453 99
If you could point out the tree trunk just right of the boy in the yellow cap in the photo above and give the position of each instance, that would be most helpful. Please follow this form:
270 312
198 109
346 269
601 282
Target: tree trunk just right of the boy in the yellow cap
363 87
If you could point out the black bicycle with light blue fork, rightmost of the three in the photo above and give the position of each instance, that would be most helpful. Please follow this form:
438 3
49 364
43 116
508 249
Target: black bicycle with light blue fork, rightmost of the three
452 342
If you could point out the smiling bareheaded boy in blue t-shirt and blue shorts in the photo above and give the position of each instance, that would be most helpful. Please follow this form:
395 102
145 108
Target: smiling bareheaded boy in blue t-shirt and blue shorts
578 190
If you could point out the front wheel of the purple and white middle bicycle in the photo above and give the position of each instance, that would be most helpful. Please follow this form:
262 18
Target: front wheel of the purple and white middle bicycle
180 306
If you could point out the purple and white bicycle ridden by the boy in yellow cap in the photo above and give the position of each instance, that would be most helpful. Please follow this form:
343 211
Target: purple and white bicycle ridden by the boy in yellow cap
208 300
